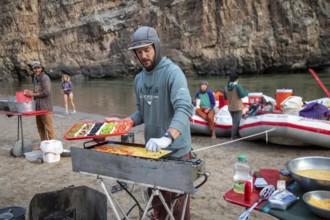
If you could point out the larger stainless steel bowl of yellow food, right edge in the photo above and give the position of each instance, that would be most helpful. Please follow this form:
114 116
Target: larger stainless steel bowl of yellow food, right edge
308 163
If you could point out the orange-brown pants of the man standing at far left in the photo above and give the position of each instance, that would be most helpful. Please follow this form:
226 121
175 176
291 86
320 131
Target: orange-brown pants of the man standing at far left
45 127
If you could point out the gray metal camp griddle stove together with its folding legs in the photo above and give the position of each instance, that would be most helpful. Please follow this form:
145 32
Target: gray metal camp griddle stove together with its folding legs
158 174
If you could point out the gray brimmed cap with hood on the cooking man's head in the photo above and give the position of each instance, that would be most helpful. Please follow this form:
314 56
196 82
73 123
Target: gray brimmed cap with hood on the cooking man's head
143 37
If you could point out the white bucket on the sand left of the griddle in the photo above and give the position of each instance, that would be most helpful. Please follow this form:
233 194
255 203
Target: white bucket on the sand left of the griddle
51 150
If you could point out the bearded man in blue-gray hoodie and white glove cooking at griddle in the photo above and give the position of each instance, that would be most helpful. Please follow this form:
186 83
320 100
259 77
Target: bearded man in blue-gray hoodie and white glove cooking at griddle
163 104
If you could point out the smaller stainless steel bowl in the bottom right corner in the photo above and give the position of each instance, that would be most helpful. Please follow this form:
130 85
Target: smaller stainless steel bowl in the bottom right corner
320 195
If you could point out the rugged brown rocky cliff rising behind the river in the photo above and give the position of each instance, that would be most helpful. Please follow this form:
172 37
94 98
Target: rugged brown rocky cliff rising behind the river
205 37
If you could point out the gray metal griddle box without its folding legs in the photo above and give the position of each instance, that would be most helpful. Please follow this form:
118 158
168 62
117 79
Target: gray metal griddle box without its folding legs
167 172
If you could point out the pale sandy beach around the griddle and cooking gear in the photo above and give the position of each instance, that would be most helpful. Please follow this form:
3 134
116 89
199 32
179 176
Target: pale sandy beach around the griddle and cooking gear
20 179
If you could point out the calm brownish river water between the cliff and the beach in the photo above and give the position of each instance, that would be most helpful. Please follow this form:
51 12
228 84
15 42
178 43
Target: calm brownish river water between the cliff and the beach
115 97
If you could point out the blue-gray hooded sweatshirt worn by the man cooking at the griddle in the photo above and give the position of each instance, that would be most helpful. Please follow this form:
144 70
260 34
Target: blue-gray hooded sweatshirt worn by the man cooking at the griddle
163 101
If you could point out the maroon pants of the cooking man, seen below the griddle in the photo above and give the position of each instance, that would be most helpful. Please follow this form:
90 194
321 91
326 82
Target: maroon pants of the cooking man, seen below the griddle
160 210
